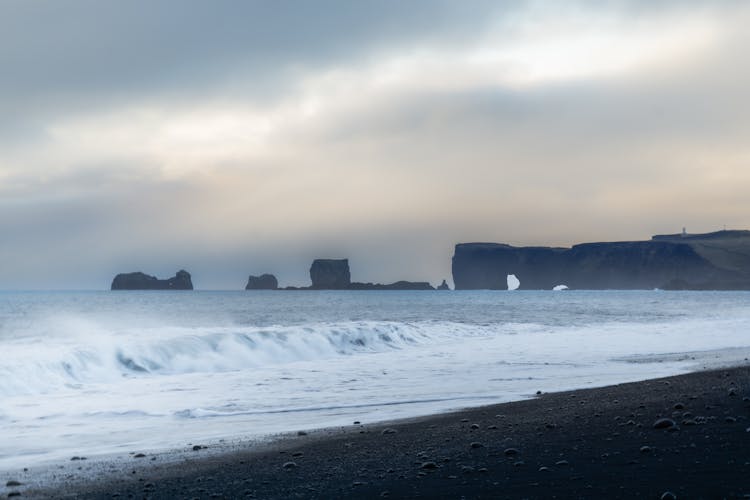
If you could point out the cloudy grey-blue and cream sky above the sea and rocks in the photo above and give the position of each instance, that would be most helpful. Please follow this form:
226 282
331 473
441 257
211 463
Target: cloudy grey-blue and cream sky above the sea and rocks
231 138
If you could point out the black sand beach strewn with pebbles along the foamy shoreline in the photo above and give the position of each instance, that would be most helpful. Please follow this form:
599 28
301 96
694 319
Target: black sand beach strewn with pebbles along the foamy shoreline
594 443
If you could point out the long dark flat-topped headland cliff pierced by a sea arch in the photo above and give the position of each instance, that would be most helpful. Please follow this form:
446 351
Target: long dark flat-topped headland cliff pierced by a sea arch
712 261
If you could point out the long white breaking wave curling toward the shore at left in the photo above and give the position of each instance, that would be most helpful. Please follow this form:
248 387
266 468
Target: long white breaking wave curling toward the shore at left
102 356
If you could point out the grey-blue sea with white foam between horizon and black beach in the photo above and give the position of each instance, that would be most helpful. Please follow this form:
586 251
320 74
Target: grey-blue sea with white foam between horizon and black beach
93 373
